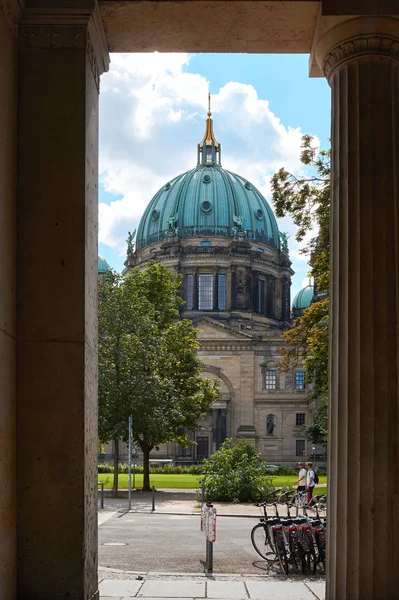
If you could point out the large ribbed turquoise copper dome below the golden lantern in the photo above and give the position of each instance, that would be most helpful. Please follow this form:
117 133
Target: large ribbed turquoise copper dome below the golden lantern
207 202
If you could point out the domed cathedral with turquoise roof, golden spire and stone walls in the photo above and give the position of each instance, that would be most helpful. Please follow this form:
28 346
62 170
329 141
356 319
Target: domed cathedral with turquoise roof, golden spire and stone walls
216 229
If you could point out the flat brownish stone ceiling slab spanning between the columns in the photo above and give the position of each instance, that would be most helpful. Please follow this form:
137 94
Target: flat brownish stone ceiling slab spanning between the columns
252 26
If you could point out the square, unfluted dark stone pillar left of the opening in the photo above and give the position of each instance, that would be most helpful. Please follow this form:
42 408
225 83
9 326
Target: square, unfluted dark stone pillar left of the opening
62 54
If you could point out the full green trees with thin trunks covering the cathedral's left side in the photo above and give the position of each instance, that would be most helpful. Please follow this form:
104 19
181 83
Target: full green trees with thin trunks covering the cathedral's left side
148 363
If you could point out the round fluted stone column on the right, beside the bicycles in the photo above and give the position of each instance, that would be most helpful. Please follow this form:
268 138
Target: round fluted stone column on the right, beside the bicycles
360 58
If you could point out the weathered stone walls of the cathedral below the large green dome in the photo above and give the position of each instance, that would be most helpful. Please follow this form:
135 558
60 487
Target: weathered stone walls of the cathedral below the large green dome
240 342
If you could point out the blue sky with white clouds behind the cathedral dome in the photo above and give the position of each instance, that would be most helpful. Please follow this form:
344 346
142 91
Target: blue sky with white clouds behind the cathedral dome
152 116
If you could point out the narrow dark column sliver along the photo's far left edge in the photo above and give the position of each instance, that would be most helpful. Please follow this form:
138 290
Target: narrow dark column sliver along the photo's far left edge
9 14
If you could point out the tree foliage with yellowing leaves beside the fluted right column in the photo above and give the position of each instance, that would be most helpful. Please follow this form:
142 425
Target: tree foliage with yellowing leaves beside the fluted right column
307 200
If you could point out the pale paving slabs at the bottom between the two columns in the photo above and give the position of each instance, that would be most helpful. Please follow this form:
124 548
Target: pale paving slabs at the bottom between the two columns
162 586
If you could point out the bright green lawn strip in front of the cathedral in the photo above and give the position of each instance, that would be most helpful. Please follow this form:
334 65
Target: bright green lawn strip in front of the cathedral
161 480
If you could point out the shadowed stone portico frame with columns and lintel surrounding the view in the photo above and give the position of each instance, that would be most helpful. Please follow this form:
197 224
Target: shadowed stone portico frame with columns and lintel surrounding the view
54 54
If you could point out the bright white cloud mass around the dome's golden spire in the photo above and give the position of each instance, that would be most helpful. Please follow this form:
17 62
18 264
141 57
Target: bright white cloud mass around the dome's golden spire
152 115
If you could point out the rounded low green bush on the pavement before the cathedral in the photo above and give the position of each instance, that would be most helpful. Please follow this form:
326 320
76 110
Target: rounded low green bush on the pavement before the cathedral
235 473
